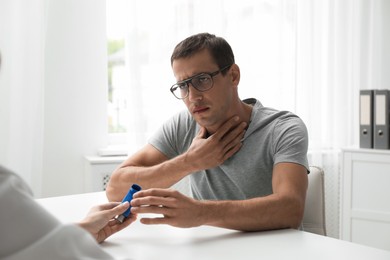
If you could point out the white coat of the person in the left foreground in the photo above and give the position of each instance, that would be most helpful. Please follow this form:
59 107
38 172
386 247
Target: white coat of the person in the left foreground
28 231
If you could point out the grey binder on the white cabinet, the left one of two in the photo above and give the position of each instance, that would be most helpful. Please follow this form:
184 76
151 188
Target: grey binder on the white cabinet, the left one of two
366 118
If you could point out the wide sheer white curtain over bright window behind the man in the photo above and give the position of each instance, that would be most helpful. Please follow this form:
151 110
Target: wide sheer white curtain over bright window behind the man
309 57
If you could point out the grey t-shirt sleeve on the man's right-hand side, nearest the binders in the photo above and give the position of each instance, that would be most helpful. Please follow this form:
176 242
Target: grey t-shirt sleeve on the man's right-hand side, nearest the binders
291 141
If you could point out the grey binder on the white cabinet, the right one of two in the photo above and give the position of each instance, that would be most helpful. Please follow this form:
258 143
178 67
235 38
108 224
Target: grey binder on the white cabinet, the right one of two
381 119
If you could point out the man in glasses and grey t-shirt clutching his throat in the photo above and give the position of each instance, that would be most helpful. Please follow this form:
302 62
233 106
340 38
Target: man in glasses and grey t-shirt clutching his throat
247 164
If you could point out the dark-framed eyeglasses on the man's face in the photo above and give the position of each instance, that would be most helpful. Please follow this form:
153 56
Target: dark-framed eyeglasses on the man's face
201 82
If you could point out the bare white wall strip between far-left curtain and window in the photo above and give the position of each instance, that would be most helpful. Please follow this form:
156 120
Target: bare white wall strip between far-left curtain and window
75 91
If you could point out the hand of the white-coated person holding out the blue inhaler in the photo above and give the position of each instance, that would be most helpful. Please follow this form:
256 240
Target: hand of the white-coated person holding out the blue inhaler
100 220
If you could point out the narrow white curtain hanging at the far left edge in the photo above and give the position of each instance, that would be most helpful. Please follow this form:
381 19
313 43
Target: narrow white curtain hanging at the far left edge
21 88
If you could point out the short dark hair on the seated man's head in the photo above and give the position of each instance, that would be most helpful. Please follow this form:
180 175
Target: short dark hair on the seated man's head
219 48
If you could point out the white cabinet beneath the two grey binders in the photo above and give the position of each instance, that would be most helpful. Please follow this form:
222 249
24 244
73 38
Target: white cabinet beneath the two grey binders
365 197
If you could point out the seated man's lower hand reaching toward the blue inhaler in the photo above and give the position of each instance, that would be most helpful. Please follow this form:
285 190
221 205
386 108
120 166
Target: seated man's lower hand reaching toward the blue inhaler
174 208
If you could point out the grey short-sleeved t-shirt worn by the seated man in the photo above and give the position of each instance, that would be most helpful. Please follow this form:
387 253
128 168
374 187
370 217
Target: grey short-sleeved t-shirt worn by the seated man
272 137
